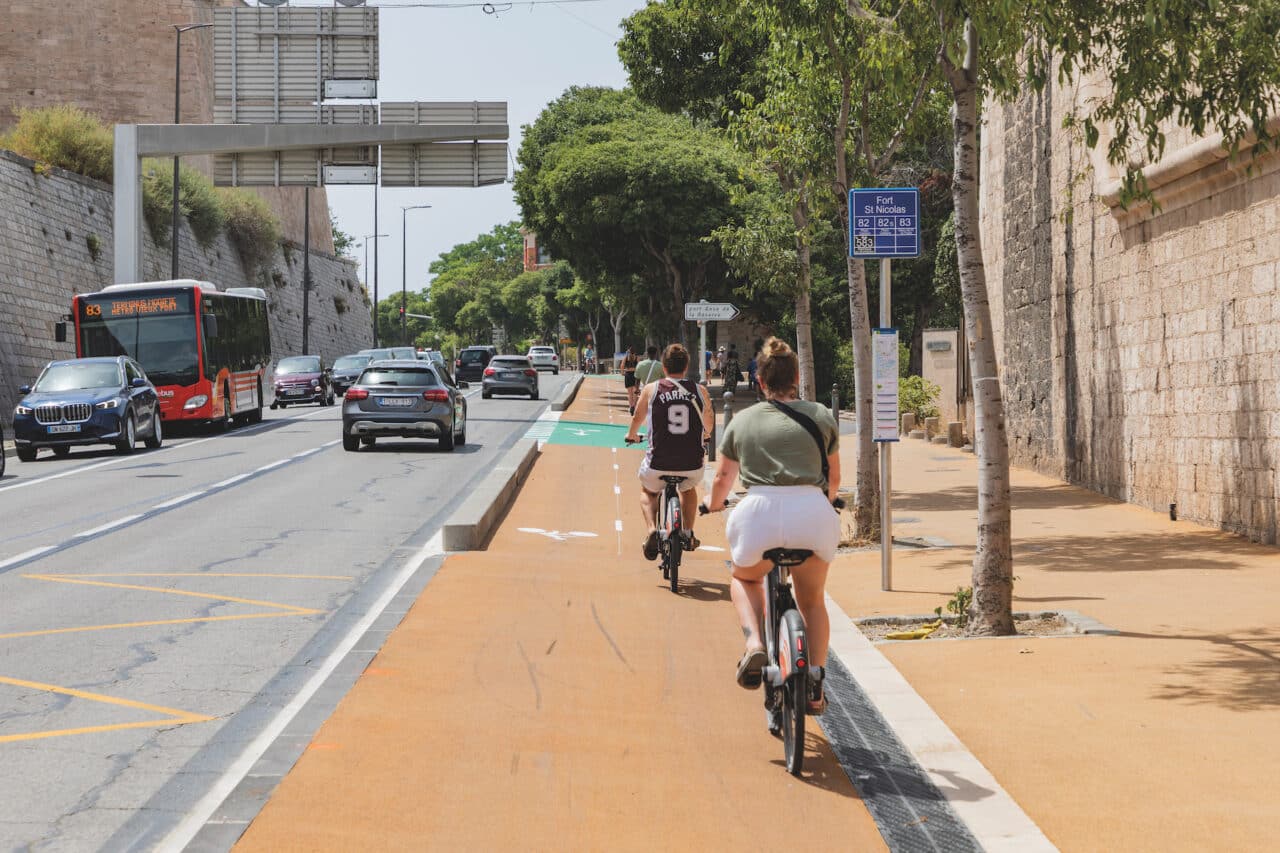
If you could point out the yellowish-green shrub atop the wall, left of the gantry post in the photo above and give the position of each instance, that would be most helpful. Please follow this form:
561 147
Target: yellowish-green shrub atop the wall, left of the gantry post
63 136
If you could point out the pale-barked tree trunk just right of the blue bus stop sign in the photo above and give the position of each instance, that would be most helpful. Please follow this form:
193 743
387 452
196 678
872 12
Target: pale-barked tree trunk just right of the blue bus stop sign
991 612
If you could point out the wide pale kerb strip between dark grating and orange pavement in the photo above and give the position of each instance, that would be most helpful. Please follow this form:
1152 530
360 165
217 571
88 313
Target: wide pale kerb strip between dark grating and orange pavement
996 822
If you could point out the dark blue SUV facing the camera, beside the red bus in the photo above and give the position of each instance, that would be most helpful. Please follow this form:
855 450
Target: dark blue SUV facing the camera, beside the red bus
88 402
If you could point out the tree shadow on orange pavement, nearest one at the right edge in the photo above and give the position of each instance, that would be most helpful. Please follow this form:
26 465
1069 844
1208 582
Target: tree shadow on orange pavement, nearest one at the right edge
1241 673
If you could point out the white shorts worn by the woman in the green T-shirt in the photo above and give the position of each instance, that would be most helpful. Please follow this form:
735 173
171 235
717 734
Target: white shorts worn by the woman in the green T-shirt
783 517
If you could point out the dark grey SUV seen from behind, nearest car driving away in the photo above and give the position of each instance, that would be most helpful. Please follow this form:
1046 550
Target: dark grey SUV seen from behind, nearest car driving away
409 399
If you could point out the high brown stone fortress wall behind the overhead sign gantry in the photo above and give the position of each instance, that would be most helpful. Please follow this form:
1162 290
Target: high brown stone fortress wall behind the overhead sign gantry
116 60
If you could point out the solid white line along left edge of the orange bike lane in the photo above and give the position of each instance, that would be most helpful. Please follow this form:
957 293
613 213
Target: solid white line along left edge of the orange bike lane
227 783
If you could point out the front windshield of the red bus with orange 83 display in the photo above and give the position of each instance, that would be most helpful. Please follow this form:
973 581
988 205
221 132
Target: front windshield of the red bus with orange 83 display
159 334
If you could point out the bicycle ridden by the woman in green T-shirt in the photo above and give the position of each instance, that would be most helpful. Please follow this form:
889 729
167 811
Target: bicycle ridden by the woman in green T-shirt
787 645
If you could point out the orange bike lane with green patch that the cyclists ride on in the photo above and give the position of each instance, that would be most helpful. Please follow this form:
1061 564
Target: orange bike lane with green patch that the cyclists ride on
552 694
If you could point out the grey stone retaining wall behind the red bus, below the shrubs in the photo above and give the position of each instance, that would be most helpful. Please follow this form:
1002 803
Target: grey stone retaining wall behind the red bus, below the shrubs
56 241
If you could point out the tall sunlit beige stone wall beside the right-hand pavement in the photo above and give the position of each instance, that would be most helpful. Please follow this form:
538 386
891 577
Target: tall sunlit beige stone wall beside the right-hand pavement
1139 349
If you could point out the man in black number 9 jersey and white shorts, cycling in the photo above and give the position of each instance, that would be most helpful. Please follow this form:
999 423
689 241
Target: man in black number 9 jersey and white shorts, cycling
674 409
